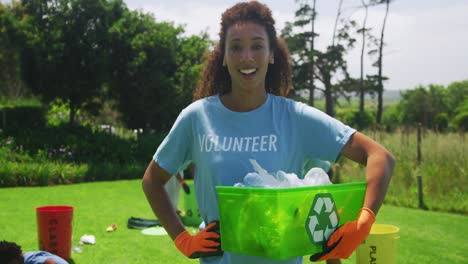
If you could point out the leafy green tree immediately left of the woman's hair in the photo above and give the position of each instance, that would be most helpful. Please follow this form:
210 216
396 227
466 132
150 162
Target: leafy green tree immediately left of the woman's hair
153 69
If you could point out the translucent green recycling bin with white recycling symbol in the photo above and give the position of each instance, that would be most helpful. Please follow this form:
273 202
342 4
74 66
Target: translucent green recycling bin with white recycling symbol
286 222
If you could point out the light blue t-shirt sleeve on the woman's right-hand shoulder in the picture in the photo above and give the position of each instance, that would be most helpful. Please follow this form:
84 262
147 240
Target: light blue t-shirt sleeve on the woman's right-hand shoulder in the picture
322 137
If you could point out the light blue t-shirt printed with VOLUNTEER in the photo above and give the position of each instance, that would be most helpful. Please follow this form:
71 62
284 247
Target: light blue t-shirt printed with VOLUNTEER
280 135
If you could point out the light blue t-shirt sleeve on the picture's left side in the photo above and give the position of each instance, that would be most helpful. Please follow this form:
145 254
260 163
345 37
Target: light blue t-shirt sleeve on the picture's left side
174 153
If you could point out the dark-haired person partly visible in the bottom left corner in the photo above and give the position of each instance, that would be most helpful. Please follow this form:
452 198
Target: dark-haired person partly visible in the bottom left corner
11 253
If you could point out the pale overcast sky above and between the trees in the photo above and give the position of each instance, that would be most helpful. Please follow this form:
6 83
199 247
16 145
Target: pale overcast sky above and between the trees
426 40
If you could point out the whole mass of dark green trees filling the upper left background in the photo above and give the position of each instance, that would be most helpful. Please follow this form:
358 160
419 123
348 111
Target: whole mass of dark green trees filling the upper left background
85 53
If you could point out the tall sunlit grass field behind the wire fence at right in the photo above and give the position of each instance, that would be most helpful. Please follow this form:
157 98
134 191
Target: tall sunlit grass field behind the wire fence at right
443 169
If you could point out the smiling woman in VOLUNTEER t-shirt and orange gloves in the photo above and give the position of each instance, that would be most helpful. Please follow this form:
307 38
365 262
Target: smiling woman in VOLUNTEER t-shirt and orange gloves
241 114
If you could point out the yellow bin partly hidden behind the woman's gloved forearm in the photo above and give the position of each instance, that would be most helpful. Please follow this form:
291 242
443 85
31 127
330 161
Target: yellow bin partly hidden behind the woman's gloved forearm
380 246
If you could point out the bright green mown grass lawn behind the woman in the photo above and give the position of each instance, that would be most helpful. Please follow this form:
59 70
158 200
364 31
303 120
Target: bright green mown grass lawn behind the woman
425 237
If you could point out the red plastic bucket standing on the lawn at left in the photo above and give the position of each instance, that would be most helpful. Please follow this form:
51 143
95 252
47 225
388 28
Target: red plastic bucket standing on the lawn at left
54 229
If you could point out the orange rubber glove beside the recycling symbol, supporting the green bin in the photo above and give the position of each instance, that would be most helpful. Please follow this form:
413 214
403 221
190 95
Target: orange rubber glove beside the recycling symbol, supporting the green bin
347 238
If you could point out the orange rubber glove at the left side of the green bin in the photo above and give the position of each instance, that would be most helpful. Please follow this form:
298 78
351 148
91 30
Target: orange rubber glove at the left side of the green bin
205 243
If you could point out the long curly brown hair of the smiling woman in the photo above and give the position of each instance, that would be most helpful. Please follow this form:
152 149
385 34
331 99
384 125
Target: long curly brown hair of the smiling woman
215 78
